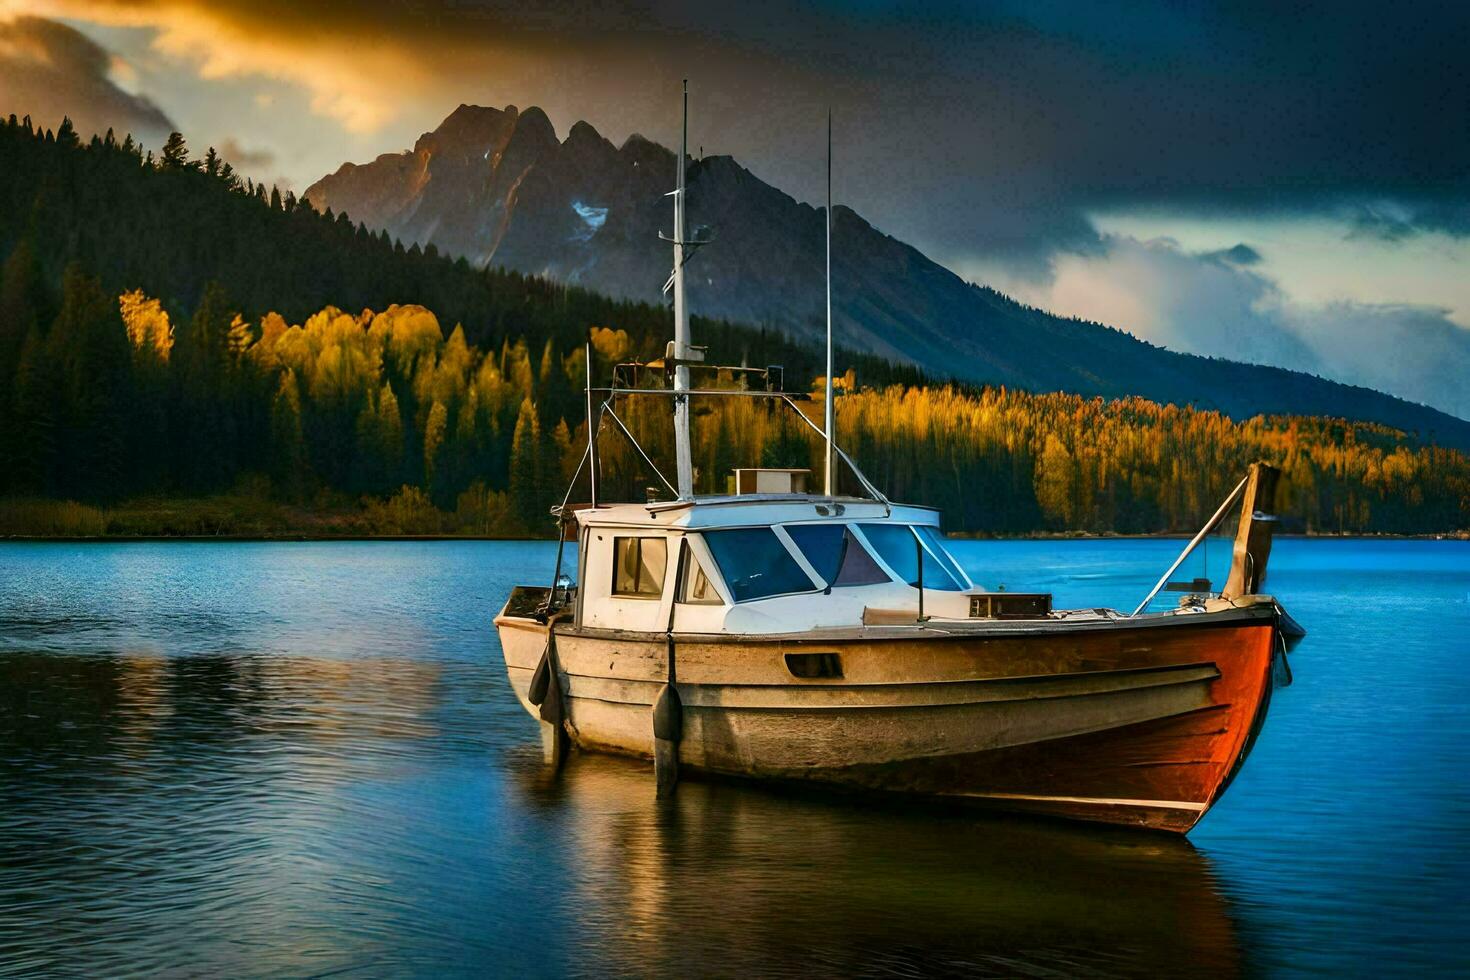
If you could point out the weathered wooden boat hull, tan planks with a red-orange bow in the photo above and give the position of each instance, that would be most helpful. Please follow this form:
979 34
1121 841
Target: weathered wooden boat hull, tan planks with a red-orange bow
1137 724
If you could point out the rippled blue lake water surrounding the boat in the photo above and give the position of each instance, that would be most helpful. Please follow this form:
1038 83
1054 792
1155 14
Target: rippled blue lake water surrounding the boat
305 759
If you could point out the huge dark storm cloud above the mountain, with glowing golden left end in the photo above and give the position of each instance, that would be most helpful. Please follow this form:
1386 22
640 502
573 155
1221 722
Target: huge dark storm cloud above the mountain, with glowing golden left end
968 129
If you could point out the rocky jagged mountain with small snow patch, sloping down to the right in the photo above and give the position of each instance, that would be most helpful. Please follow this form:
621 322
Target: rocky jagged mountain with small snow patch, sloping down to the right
498 187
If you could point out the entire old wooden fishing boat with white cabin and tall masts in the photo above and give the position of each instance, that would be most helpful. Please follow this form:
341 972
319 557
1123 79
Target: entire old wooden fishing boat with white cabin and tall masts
831 638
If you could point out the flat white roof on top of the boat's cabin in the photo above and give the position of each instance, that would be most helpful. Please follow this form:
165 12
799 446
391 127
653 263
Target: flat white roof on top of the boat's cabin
752 511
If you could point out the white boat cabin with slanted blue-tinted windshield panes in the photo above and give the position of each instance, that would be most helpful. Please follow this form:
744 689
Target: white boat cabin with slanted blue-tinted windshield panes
753 565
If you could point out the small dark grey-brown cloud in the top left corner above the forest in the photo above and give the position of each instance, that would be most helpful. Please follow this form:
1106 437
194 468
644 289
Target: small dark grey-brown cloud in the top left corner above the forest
49 71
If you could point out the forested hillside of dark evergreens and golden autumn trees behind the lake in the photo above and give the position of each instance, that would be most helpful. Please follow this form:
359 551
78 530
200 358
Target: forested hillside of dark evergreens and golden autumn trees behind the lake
452 396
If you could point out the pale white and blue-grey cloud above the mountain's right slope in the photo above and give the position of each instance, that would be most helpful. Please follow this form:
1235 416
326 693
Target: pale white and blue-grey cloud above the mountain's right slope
1219 306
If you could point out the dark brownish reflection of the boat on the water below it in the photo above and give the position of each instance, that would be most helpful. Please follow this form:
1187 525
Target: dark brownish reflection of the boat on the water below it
767 882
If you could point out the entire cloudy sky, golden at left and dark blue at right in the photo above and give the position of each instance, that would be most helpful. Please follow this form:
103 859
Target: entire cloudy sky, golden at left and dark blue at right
1287 184
